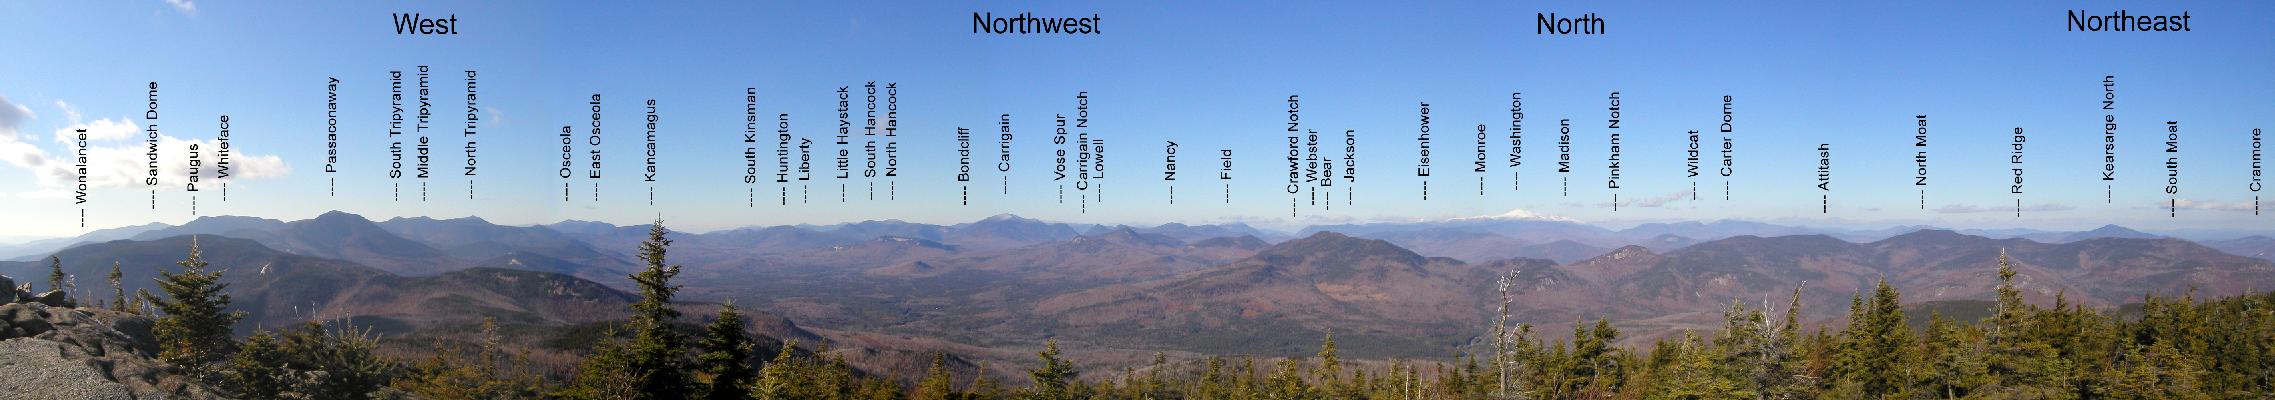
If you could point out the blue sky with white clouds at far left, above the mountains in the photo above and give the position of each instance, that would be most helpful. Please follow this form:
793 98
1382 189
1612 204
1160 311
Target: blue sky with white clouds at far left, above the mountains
1207 76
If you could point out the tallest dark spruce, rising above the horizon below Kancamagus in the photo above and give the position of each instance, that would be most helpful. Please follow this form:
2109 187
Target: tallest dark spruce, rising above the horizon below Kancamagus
656 353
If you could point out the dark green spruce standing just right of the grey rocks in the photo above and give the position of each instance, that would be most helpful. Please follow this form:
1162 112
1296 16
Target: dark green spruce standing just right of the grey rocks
195 328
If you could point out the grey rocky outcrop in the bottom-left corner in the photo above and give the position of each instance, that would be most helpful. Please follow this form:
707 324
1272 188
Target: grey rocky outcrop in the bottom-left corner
83 353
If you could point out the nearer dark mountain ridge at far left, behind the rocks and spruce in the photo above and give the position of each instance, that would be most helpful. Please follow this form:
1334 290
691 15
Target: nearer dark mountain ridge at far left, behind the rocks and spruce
281 290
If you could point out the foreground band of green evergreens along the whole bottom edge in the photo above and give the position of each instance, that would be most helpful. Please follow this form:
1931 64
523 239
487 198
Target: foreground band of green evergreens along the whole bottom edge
2169 349
